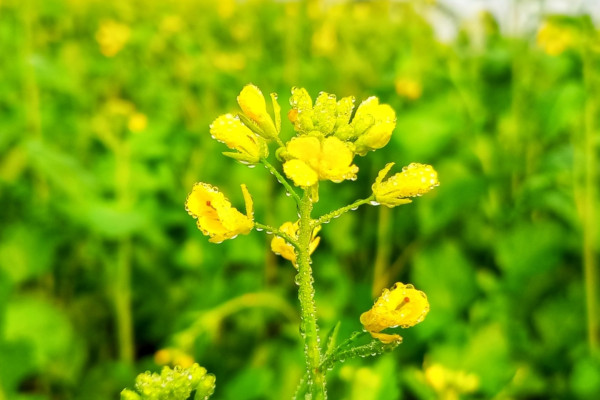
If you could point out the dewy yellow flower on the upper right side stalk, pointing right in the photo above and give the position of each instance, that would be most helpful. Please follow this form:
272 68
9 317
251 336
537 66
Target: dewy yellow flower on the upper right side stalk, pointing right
414 180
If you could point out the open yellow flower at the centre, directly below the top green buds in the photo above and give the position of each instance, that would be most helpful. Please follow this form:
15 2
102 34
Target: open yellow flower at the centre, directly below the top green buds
311 158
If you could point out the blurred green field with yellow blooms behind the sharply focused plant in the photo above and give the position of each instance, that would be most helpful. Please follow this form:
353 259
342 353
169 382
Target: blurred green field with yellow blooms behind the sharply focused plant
104 115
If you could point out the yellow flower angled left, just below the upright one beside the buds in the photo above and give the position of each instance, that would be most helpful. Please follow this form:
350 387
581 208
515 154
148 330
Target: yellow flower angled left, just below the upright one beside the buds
237 136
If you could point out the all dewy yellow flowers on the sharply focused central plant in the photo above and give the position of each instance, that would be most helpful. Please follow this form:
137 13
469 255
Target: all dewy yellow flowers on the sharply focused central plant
329 133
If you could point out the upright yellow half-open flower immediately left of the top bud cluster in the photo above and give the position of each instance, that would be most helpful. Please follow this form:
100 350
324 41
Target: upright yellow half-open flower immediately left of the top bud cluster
256 117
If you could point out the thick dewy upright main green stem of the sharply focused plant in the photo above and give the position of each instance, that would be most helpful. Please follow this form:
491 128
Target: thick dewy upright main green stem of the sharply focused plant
306 295
